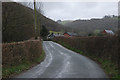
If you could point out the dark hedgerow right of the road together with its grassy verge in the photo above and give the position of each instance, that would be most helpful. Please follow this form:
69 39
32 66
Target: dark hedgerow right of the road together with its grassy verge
104 50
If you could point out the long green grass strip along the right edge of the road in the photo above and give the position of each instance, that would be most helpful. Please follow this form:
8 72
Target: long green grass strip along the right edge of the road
110 68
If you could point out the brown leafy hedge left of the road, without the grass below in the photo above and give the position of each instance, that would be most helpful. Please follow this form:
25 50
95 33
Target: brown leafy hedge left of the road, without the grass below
20 52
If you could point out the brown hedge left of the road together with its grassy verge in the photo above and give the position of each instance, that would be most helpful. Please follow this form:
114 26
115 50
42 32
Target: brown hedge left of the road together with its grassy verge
20 56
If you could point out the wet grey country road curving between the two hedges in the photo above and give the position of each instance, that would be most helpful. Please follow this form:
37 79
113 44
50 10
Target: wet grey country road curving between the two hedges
63 63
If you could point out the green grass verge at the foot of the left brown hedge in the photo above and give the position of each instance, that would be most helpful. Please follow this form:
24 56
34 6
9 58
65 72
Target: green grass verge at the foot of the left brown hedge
13 70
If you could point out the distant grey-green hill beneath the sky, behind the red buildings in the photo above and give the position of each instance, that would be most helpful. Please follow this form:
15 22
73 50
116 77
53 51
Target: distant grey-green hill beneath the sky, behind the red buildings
84 27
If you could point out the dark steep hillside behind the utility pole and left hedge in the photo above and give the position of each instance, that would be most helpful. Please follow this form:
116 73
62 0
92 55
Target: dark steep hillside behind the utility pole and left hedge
18 22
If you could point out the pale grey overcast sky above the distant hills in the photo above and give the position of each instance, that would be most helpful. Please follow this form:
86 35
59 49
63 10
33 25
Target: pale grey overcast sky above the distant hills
79 10
